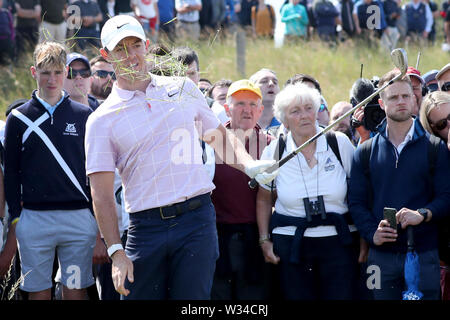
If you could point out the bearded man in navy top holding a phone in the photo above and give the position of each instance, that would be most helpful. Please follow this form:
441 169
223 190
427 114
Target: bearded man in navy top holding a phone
399 178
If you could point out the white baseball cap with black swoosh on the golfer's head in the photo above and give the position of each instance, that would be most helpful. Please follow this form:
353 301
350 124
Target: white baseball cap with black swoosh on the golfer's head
118 28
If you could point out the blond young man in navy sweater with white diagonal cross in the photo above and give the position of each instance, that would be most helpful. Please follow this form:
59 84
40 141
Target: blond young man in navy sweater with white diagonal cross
46 184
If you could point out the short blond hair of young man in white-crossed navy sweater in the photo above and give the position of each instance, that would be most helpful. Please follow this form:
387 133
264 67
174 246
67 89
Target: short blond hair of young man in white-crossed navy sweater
50 54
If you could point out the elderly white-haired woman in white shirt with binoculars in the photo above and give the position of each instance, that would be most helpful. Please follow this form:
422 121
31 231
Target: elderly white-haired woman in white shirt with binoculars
309 234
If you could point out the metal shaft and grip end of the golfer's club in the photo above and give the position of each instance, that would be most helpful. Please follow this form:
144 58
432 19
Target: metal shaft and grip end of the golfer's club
253 183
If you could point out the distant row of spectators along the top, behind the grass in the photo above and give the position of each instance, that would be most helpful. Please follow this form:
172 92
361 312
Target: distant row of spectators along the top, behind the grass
25 23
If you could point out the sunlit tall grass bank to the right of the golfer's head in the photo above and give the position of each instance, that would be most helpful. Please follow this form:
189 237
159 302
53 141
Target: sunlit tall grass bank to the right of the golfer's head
335 69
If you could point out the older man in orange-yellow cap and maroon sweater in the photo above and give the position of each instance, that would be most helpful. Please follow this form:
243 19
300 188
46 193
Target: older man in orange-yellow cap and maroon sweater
241 273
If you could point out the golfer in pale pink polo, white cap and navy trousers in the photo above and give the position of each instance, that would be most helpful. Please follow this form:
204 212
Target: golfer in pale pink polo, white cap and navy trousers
148 128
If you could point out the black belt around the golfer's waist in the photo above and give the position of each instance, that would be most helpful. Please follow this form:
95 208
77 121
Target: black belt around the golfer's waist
176 209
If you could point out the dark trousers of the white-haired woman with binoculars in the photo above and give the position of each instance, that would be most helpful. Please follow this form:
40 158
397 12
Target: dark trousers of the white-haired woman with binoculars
326 270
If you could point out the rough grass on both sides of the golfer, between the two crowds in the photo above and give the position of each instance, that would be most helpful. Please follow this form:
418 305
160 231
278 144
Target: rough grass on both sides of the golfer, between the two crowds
335 69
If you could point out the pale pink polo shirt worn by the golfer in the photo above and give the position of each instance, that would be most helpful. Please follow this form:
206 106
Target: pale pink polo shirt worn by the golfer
153 140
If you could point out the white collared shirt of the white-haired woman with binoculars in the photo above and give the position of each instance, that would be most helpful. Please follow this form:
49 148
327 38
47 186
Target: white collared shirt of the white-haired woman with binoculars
328 175
